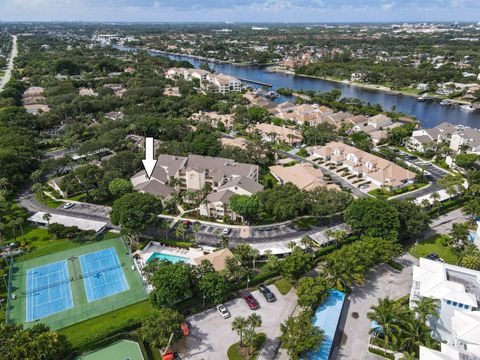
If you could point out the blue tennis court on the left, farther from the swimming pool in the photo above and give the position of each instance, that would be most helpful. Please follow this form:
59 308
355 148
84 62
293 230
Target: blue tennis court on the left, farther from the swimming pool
48 290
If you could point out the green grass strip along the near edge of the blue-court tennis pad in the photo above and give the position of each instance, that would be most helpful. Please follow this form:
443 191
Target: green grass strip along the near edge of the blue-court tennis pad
107 324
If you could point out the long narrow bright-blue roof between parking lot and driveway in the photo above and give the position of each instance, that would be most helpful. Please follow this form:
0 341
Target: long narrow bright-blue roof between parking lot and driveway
326 318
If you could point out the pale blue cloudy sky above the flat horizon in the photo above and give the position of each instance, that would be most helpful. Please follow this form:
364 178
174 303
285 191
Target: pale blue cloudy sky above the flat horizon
320 11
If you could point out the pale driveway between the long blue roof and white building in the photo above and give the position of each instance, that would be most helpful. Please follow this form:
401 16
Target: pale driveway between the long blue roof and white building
381 282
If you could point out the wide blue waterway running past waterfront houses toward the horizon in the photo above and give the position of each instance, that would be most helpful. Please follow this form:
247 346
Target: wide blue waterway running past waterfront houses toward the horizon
428 113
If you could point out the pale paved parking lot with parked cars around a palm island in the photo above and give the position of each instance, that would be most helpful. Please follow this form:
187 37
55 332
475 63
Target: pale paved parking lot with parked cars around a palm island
211 335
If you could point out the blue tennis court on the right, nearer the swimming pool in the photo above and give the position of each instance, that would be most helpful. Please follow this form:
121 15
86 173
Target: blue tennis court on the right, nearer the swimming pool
102 274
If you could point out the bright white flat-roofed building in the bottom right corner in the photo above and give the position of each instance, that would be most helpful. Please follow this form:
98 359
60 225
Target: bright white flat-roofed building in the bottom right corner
458 291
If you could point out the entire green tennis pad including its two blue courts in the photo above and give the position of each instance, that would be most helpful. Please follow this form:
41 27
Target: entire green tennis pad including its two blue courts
108 275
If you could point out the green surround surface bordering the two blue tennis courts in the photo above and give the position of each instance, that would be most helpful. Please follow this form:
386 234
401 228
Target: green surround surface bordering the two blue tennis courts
82 309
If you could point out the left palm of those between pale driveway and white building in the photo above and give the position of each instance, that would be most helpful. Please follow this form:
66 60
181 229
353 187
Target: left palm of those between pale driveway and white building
385 314
